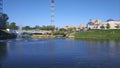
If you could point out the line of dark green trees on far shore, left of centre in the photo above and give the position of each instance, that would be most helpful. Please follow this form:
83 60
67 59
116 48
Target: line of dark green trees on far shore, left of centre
4 24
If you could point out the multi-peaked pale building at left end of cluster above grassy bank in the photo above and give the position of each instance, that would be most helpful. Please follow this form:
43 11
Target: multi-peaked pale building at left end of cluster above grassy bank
94 24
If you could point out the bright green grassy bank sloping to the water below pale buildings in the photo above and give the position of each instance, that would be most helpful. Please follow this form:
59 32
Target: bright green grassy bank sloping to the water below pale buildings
98 34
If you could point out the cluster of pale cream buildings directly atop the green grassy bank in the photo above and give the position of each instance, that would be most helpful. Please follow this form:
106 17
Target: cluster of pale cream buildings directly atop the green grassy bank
96 24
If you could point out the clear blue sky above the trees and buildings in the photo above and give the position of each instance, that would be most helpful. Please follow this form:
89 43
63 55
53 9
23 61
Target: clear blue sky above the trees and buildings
67 12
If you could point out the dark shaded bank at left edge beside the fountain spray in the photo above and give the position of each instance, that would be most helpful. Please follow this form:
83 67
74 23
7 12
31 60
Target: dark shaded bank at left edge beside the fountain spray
5 35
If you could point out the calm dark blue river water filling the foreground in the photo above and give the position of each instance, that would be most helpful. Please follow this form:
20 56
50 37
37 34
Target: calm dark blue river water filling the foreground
59 53
